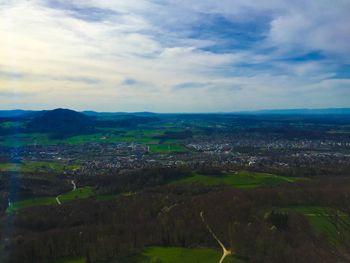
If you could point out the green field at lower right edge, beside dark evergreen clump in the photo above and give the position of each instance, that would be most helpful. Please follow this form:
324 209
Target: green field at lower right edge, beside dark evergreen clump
330 223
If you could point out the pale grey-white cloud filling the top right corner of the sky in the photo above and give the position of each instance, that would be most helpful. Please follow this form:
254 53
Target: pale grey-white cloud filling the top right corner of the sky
320 25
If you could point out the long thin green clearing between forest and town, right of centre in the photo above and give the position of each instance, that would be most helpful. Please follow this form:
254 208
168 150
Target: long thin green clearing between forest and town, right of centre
242 179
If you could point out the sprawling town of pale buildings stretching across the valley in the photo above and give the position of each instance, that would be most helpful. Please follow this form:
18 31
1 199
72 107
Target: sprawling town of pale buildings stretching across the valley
97 157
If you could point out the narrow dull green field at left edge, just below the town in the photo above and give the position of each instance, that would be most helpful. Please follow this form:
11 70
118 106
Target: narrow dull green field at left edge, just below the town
31 167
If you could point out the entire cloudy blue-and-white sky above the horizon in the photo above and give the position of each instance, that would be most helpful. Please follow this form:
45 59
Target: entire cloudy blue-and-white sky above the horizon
174 55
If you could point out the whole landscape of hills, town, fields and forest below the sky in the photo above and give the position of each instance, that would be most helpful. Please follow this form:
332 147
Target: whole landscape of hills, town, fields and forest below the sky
140 188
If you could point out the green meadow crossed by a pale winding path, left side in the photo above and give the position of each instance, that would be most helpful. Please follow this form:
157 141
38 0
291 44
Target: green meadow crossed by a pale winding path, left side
79 193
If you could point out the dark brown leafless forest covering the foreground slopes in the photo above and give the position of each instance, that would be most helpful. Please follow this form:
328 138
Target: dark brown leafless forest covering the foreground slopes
169 215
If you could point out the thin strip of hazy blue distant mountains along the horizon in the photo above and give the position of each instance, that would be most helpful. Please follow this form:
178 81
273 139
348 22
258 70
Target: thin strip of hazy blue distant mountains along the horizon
325 111
